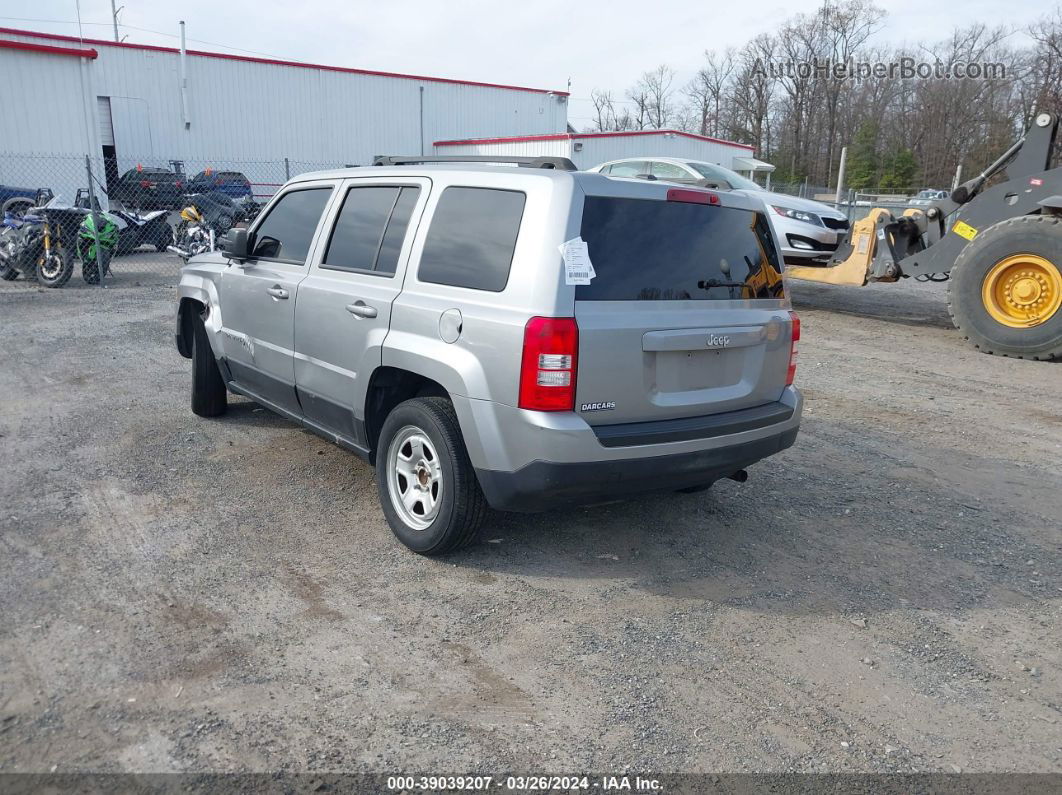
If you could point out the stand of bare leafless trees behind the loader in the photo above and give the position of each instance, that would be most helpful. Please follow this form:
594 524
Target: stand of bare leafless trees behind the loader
782 94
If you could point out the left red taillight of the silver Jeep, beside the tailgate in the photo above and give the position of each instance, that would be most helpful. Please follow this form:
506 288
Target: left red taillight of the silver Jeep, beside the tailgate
550 364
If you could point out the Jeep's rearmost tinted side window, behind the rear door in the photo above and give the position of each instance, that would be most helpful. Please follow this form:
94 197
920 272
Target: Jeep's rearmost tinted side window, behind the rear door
472 238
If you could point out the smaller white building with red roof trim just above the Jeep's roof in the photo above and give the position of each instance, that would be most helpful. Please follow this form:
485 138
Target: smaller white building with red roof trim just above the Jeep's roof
589 150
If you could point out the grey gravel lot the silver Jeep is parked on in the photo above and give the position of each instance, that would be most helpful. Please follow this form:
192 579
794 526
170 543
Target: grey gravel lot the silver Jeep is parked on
193 595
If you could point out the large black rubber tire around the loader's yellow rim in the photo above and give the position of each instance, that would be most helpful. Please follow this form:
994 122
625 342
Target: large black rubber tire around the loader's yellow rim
1039 237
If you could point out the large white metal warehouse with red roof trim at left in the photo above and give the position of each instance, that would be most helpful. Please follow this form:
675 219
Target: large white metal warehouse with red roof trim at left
66 96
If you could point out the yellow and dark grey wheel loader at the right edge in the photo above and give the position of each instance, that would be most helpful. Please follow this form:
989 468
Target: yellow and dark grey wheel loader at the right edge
1000 247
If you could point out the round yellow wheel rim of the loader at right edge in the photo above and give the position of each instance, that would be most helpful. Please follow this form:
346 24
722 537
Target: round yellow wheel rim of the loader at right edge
1022 291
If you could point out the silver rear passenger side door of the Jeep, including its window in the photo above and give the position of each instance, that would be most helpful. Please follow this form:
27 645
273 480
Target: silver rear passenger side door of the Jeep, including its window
345 304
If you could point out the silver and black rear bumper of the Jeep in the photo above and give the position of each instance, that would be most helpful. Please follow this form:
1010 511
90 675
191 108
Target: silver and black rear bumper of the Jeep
535 461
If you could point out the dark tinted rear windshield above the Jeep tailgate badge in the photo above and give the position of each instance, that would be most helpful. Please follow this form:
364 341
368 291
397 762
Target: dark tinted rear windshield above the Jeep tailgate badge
653 250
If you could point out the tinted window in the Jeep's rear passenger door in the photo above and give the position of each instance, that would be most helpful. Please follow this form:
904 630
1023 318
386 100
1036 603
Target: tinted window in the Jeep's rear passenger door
370 229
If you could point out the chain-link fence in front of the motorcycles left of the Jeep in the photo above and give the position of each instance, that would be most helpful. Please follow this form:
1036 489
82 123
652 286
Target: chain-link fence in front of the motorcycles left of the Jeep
83 222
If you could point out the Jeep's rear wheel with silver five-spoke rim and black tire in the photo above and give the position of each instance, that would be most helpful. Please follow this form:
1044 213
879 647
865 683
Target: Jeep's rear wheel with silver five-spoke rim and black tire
461 508
